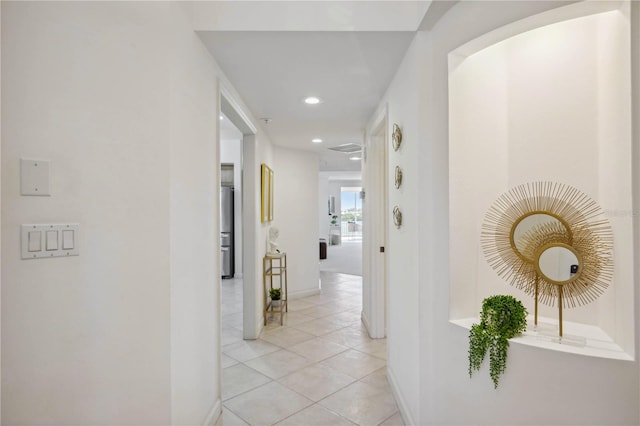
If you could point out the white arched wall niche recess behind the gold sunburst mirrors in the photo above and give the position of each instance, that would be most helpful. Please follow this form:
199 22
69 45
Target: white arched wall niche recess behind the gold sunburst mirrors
545 99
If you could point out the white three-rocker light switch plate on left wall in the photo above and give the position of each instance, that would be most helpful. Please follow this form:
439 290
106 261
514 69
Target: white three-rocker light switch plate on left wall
49 240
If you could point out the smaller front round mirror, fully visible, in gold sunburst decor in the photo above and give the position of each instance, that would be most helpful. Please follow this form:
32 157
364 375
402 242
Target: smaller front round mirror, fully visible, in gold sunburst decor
559 263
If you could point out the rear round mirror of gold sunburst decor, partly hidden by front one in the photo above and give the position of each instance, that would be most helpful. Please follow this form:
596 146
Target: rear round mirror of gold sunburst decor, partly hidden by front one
530 224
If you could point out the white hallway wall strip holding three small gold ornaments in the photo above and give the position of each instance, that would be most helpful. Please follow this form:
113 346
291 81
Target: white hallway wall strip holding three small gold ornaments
402 292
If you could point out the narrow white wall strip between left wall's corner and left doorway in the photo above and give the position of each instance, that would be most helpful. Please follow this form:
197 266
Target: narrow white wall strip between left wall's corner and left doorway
194 226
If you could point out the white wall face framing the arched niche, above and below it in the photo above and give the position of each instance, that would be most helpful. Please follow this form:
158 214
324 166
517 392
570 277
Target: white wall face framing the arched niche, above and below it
539 386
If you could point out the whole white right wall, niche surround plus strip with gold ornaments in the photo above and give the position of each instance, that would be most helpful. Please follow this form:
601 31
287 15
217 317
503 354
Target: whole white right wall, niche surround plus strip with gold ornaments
539 386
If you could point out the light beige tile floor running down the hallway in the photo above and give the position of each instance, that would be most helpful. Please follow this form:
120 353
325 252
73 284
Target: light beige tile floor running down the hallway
319 369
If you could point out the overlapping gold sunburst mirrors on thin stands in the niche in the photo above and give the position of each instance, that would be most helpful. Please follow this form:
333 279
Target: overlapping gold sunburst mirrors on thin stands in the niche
551 241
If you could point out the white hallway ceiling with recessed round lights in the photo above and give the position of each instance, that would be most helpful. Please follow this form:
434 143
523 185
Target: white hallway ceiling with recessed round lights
274 70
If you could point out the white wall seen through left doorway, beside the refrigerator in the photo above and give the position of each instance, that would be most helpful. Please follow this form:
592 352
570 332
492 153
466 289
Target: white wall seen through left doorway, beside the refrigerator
231 153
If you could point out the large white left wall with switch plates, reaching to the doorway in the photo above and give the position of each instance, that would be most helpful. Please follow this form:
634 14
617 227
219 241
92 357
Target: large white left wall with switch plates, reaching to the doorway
122 98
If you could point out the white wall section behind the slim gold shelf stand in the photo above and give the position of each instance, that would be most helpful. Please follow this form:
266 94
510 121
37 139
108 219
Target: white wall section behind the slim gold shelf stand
296 216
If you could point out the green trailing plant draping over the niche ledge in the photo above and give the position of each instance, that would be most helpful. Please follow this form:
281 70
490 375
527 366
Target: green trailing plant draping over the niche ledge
502 318
